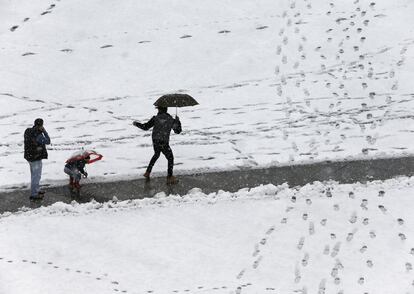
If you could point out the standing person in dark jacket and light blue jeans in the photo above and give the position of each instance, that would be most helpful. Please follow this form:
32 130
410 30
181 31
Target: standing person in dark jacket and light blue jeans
35 140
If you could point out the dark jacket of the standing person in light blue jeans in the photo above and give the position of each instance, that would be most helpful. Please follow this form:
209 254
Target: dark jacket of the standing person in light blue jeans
35 143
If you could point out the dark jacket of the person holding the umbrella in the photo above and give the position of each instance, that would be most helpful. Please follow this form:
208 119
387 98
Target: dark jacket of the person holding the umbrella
163 123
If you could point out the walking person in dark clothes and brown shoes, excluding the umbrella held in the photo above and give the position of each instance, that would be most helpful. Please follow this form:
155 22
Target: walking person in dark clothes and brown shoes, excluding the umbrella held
162 124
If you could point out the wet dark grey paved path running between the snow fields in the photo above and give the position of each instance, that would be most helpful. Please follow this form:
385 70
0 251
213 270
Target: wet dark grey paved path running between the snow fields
294 175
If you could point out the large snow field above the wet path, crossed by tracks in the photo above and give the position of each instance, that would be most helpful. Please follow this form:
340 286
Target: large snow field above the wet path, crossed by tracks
278 82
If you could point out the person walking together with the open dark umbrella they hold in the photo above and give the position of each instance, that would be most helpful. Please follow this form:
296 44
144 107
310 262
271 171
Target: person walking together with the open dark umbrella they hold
162 125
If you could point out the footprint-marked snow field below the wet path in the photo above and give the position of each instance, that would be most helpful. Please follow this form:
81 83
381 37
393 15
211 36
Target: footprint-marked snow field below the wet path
321 238
